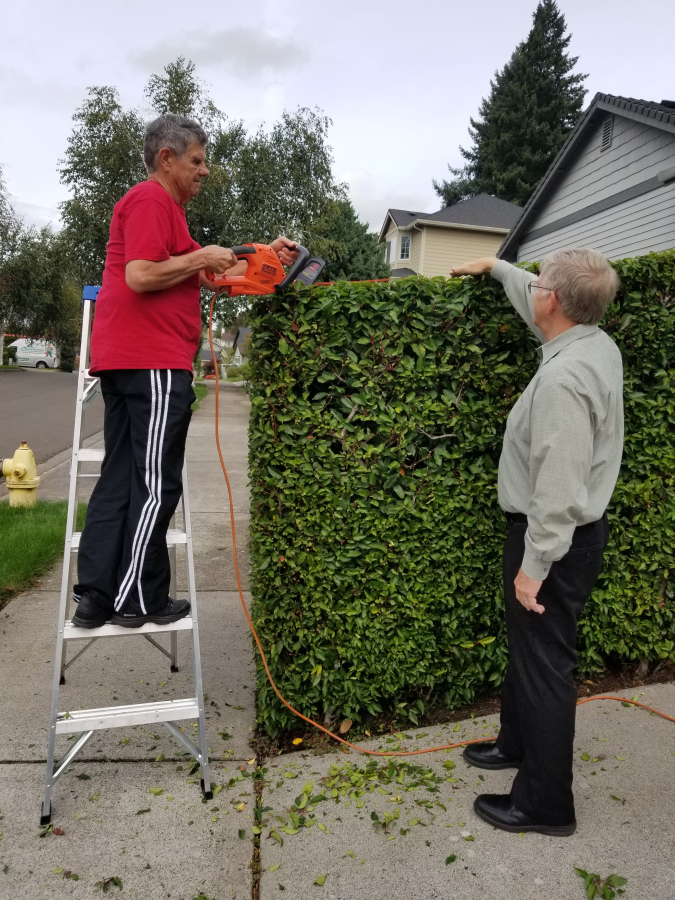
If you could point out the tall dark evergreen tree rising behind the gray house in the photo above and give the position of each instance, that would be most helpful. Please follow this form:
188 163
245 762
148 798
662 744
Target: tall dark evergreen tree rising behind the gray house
534 103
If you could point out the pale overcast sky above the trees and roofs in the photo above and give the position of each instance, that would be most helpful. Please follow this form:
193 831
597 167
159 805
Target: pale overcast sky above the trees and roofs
399 78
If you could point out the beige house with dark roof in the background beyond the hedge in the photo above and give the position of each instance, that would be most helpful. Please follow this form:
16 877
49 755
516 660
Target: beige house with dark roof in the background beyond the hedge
432 243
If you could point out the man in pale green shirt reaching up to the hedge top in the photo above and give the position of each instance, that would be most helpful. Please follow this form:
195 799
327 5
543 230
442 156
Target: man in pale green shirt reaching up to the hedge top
559 465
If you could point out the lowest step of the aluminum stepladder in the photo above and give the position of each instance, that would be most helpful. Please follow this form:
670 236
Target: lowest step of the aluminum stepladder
124 716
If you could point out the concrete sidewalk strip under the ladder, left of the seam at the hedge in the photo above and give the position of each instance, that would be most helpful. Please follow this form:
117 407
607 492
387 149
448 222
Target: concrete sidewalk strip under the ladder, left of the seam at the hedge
166 845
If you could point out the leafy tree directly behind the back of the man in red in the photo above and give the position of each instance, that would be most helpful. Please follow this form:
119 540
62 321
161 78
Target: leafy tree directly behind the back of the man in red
103 160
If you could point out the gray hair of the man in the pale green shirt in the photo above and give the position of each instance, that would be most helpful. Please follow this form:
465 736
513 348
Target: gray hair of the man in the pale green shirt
584 282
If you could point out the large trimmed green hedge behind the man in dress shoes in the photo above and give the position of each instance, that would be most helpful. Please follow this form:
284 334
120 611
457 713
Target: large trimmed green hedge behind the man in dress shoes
376 542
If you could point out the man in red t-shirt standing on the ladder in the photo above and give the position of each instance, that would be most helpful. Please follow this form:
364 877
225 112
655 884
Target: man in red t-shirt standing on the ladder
146 332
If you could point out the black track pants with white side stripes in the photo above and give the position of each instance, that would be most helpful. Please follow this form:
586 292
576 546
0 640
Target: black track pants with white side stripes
123 561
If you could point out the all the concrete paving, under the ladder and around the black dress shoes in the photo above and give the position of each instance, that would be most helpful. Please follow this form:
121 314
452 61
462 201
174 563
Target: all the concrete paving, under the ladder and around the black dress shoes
174 845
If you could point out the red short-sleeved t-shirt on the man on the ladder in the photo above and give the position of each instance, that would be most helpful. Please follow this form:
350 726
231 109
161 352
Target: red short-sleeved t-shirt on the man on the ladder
155 329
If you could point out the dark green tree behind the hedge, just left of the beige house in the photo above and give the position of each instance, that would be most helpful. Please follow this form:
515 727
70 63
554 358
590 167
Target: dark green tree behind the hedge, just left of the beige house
353 253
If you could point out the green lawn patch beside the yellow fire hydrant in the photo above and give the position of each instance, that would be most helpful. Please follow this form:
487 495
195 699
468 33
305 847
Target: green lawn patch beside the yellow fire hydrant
31 541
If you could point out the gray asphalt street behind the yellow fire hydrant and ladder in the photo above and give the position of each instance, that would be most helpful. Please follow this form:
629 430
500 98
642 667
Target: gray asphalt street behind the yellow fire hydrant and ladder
38 406
